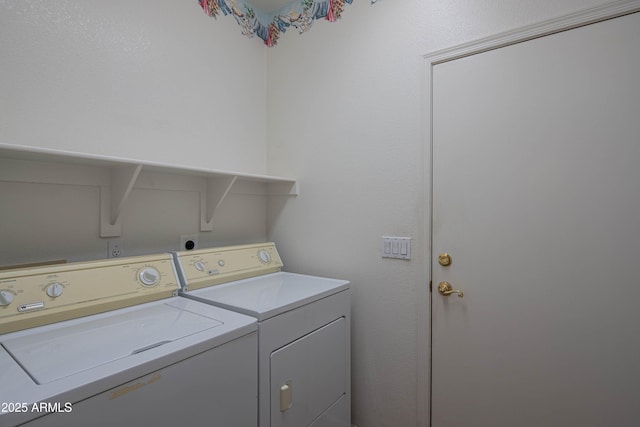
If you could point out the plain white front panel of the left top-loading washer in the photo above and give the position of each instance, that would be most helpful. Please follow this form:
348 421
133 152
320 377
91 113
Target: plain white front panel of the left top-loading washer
213 388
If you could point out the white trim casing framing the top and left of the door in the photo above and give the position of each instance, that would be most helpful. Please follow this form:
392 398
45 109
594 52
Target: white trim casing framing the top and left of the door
545 28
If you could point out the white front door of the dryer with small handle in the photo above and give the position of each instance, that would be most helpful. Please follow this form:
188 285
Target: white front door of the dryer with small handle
308 376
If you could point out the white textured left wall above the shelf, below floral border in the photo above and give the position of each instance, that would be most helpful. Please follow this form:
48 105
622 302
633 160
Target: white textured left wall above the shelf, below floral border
150 80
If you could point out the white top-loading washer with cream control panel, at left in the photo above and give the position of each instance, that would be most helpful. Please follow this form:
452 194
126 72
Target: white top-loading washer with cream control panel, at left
110 343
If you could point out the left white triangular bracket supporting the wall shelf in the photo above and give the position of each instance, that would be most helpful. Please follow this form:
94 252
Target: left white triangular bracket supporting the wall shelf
113 198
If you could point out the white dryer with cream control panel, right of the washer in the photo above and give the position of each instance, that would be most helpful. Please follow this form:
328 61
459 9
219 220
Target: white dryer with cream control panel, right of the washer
303 325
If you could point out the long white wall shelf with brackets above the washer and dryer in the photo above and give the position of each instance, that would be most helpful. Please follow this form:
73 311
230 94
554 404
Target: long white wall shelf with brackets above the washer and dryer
117 177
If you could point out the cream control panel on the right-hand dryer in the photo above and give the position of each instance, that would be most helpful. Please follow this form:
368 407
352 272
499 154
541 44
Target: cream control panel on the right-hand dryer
208 267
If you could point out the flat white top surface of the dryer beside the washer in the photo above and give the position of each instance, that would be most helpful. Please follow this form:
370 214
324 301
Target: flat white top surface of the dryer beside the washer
269 295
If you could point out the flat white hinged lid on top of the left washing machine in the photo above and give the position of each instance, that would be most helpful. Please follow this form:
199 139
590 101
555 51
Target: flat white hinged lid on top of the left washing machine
54 354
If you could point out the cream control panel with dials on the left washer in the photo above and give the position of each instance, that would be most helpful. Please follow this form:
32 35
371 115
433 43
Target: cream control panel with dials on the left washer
38 296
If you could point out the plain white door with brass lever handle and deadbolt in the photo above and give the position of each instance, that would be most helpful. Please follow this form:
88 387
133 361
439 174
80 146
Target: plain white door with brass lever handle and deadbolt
536 197
